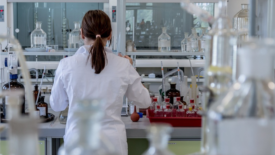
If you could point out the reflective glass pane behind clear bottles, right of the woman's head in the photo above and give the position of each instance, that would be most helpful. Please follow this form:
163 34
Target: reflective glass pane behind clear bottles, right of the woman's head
150 18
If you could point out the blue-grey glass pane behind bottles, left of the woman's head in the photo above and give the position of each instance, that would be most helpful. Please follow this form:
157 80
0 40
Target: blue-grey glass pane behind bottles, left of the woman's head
57 20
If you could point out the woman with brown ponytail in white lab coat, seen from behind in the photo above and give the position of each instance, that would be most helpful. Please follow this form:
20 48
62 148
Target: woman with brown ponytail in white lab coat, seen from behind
95 72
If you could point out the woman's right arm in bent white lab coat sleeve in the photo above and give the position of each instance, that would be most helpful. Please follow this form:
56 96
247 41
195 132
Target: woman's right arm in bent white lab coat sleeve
136 91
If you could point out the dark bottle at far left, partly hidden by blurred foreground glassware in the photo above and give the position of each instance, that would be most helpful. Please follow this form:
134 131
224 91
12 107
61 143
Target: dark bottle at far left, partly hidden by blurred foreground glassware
12 85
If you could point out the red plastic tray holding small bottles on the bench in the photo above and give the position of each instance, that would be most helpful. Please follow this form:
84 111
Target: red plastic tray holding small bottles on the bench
175 121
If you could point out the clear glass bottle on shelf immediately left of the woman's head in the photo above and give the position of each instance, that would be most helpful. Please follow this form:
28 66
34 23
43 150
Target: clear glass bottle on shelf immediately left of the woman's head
74 36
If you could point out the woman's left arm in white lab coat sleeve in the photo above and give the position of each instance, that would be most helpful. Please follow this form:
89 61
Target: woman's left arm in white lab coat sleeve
59 98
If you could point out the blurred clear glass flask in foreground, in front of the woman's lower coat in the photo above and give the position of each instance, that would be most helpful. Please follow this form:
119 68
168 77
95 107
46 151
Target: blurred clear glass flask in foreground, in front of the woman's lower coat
87 139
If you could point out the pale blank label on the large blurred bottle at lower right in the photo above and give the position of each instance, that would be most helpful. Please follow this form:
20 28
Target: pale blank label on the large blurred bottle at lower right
245 136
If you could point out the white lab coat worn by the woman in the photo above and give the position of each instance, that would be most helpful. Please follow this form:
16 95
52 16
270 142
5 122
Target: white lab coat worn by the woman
75 80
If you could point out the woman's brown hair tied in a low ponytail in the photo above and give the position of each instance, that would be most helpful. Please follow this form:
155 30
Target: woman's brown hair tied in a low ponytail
96 25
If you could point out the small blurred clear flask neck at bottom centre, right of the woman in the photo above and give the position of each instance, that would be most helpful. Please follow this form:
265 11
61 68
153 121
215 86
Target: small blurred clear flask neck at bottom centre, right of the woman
158 135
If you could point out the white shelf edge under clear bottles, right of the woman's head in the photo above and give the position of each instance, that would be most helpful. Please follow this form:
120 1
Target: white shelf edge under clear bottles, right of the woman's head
156 53
